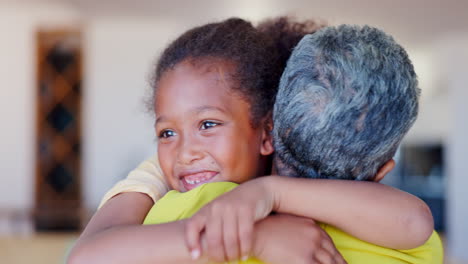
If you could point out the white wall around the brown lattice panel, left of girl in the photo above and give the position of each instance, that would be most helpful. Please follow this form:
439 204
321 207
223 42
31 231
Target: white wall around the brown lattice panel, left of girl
119 53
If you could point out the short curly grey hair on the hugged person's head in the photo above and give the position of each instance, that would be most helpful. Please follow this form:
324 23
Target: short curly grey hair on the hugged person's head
346 99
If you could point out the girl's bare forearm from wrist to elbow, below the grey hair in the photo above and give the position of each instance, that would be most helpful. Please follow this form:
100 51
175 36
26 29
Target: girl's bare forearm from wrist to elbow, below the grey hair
370 211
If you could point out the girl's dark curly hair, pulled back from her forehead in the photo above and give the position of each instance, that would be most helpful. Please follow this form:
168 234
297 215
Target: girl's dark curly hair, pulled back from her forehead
259 55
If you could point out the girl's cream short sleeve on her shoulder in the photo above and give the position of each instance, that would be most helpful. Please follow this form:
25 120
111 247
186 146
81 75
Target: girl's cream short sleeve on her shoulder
147 178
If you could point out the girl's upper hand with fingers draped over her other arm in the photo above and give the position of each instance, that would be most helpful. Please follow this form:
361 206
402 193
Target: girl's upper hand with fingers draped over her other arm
228 222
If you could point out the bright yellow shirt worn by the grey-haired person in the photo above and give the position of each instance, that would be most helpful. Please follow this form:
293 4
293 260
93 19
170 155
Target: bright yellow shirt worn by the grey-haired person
176 206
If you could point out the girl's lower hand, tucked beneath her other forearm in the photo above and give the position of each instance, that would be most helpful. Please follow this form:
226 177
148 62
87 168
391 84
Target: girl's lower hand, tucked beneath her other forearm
292 239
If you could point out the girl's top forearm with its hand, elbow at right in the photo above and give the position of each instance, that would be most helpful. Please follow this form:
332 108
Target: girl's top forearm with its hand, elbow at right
369 211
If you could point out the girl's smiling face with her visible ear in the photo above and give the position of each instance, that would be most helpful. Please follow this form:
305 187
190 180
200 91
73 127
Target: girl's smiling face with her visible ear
204 129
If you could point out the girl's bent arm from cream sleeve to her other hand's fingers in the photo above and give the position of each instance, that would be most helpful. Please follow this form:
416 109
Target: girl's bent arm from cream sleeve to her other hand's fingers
115 235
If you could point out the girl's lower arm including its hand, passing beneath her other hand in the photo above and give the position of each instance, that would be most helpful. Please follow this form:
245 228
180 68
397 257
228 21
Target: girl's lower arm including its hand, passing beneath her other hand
115 235
